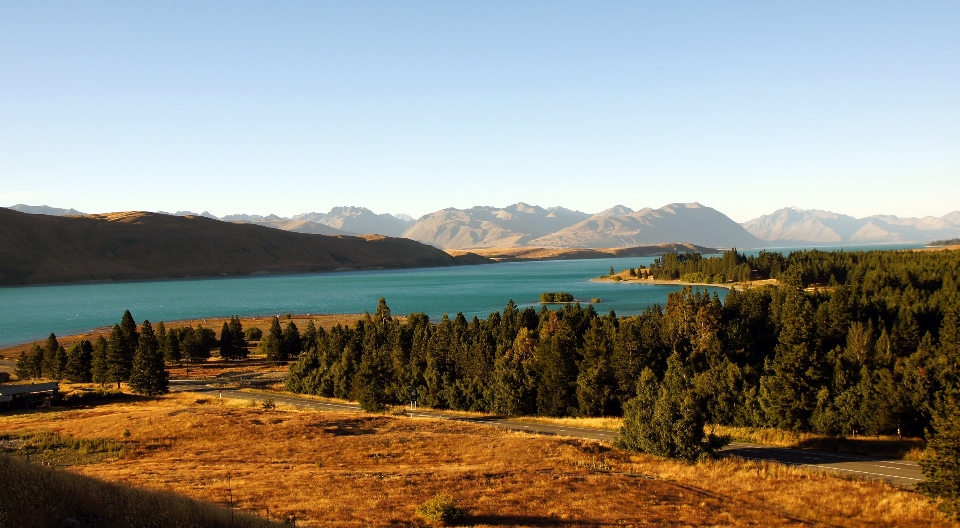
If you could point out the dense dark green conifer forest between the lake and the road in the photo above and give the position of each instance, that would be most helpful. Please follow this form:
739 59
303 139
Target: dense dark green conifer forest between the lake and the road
864 352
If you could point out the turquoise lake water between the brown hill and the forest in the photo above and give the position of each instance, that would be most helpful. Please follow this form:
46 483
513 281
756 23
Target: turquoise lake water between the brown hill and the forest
29 313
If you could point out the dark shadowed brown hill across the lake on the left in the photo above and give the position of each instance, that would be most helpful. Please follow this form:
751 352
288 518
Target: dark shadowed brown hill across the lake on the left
36 249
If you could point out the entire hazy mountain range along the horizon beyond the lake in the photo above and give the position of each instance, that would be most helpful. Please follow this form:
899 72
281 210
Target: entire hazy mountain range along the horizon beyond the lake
524 225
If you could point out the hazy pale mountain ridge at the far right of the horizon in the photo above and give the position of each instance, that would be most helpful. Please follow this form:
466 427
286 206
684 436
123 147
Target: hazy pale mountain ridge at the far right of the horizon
793 226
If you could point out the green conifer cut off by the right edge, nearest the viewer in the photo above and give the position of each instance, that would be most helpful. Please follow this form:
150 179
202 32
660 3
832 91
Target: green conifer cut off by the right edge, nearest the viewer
941 460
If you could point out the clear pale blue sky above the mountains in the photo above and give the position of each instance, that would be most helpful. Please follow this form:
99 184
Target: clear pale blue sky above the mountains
285 107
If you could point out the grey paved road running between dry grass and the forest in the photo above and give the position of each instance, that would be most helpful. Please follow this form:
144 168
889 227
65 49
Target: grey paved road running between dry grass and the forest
900 472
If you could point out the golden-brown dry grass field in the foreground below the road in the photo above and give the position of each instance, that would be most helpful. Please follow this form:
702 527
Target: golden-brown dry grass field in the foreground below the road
354 469
